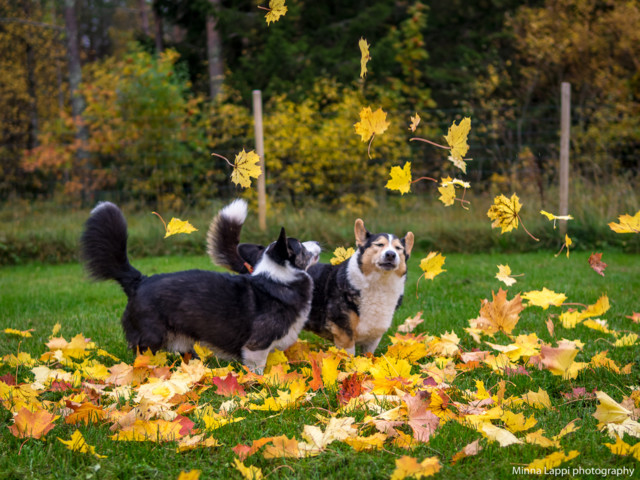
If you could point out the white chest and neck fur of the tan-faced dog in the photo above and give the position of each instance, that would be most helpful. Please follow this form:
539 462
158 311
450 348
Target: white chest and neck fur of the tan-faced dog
379 294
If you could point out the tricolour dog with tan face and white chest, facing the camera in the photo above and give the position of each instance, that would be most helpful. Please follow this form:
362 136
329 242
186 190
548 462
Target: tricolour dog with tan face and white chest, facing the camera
353 302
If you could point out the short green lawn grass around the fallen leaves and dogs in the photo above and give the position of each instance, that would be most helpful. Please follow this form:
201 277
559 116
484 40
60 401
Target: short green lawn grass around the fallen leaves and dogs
39 296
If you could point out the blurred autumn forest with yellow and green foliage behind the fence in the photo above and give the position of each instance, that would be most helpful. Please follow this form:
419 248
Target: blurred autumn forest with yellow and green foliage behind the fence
130 98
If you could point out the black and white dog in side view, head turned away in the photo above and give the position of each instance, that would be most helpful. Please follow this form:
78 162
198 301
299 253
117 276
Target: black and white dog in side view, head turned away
240 317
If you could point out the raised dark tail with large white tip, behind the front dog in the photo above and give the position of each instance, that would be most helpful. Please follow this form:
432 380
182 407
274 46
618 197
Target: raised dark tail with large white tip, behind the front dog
223 237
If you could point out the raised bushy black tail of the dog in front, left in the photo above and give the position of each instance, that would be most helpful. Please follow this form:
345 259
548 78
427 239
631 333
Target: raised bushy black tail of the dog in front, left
104 248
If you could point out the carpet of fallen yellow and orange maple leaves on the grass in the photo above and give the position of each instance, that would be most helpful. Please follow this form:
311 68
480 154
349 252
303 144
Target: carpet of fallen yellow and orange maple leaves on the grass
401 397
